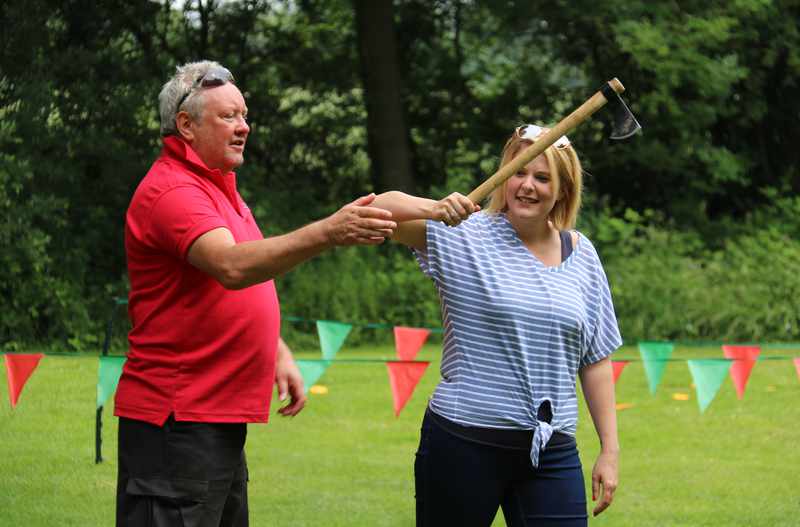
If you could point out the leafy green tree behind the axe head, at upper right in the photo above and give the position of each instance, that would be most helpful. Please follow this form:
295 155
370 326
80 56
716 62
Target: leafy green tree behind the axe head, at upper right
714 85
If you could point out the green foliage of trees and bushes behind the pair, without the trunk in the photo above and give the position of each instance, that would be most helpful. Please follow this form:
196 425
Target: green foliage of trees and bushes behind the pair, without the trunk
696 219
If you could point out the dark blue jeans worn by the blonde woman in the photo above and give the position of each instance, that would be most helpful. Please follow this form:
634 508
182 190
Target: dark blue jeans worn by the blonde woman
462 483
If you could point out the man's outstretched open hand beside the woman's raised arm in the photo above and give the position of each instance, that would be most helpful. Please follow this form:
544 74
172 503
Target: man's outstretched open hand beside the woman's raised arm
359 224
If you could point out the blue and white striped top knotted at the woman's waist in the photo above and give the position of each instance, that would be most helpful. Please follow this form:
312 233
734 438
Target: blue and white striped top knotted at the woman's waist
515 331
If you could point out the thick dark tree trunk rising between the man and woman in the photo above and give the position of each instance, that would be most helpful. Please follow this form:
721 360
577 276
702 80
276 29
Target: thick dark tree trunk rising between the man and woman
387 132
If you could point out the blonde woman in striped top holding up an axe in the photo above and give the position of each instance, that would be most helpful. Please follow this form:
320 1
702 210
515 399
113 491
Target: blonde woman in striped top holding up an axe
526 309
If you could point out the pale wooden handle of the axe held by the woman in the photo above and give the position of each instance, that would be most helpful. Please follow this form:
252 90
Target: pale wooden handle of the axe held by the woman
566 125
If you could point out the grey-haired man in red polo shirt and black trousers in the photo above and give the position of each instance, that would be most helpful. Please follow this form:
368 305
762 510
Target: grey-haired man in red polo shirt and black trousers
204 345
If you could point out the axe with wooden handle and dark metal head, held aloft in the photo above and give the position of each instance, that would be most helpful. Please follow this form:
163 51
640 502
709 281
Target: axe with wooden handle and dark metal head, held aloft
625 125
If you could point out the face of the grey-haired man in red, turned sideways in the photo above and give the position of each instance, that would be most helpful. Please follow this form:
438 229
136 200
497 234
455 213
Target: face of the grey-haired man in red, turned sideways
219 135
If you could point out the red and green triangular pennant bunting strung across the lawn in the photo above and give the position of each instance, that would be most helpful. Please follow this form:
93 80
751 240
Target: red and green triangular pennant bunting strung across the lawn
405 372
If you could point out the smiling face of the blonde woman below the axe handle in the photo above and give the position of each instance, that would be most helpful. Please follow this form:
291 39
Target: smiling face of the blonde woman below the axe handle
530 193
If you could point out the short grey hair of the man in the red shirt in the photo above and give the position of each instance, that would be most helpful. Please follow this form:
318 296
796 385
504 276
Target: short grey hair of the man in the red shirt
176 89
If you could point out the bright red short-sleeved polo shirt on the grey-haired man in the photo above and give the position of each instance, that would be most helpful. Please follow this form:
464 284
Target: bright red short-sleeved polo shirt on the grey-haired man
197 350
